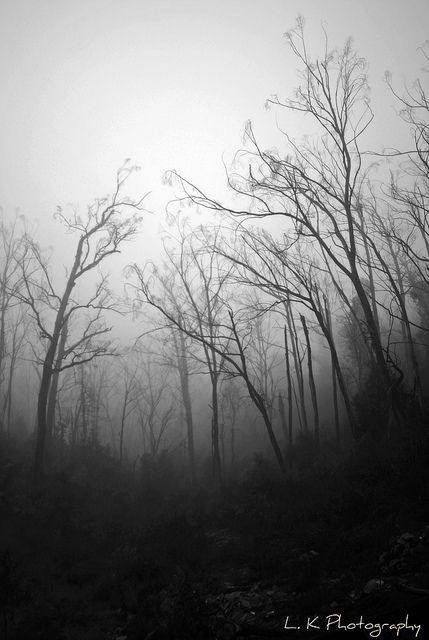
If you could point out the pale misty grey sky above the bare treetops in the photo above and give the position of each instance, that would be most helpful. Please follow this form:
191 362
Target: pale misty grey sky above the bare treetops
170 84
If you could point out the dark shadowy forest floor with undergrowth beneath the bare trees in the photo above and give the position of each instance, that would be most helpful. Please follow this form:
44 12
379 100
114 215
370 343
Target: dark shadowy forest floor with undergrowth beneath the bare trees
102 554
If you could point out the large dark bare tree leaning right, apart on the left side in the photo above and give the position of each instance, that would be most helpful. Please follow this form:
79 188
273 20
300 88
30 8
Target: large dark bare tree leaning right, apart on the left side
101 234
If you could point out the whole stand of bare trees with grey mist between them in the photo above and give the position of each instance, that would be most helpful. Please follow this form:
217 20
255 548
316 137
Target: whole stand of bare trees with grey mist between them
294 323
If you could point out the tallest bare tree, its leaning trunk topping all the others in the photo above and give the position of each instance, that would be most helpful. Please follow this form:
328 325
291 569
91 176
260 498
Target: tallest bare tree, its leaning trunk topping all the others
316 188
